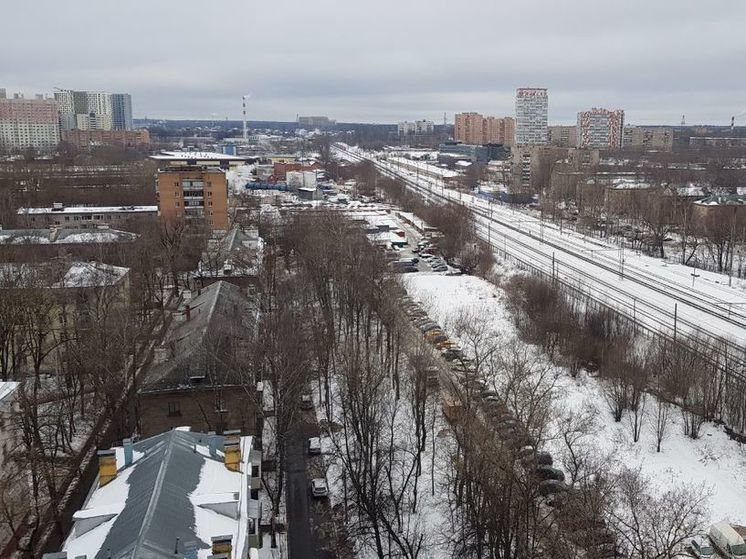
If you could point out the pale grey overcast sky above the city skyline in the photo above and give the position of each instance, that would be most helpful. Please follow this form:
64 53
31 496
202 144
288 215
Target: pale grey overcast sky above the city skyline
385 60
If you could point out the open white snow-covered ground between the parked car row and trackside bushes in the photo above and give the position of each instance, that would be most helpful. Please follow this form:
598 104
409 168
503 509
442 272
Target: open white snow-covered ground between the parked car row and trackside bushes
713 460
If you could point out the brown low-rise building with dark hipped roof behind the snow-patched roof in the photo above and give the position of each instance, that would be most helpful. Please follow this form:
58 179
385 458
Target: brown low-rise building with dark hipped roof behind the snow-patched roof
200 376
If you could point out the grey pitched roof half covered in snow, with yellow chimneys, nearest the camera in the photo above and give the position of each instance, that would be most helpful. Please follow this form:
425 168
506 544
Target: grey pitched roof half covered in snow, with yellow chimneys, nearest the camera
173 495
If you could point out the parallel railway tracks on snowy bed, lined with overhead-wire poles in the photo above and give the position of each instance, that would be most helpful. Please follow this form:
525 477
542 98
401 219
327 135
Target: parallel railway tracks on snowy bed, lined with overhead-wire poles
681 320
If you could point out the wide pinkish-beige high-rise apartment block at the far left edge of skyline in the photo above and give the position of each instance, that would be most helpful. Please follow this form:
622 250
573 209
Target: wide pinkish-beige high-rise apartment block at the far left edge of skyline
28 123
